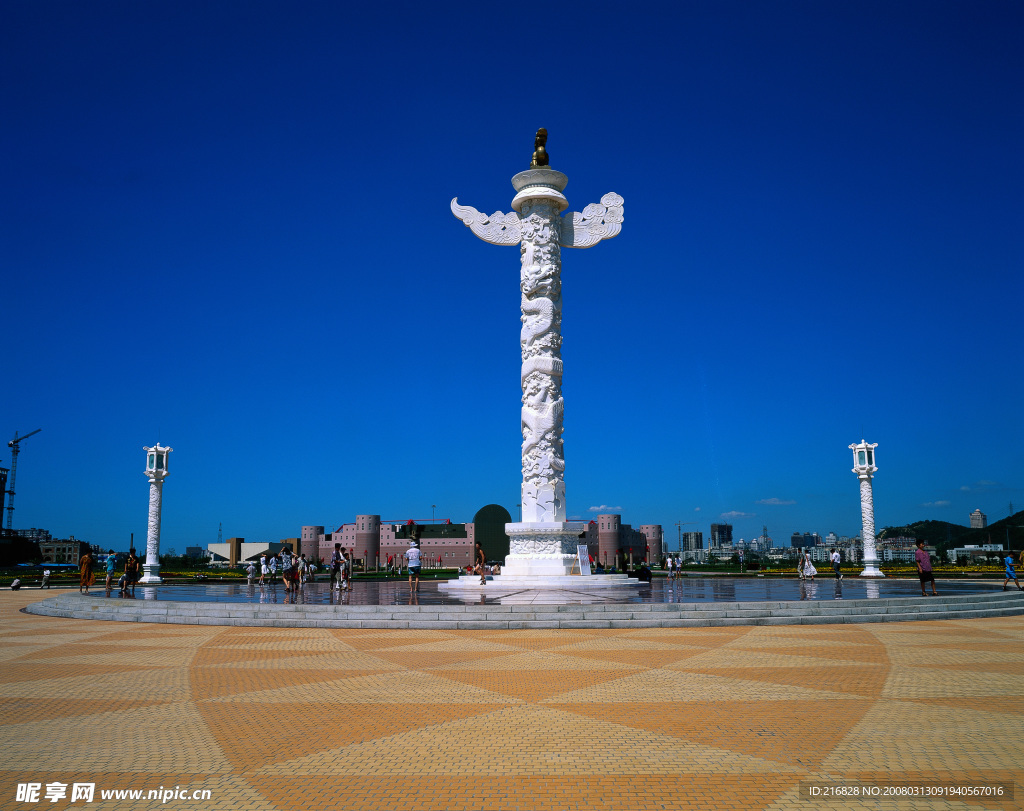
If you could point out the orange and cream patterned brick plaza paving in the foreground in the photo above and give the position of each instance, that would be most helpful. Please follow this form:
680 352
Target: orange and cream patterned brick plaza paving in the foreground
703 718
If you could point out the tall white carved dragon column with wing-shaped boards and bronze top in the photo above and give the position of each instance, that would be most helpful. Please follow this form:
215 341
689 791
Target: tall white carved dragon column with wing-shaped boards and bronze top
543 544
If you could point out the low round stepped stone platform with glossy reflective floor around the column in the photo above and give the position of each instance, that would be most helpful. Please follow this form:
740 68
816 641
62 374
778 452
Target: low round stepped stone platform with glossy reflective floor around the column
711 602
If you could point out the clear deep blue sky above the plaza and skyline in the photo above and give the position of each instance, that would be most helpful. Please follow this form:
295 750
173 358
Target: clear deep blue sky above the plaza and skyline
226 226
